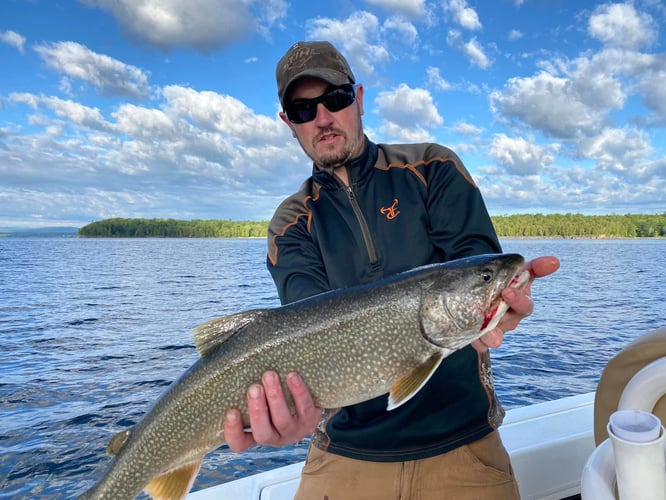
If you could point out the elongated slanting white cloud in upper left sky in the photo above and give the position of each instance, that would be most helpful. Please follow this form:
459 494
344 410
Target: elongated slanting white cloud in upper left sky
108 75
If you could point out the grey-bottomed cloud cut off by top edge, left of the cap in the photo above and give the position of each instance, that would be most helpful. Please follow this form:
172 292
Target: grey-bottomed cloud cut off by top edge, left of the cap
203 25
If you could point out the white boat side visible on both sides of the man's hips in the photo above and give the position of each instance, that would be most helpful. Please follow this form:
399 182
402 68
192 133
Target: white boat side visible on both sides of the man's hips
549 444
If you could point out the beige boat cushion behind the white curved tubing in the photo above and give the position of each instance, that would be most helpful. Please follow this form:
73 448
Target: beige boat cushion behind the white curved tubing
619 370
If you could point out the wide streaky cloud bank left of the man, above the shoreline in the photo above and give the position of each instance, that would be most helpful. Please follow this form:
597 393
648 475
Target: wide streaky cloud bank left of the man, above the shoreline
208 145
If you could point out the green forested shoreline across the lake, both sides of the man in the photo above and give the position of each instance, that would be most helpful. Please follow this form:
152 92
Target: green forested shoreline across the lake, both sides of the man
517 226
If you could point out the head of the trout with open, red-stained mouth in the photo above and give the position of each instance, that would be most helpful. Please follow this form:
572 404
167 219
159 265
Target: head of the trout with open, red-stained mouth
464 300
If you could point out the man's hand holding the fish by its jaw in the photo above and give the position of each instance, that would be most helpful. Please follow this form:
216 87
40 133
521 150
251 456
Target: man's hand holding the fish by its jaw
519 302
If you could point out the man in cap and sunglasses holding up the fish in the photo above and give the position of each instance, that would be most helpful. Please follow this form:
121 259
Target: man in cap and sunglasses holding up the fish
370 211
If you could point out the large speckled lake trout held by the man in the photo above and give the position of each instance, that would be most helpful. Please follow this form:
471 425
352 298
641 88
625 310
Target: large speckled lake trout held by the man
349 346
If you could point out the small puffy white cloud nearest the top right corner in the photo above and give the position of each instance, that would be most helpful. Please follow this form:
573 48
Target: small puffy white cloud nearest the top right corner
620 25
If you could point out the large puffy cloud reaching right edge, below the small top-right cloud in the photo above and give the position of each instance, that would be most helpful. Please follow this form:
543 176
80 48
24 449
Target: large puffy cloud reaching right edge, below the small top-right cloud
576 98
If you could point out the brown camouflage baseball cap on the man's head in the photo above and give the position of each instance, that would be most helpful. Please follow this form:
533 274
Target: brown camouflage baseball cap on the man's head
315 59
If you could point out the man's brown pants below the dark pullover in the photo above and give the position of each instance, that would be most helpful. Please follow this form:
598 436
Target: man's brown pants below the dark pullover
478 471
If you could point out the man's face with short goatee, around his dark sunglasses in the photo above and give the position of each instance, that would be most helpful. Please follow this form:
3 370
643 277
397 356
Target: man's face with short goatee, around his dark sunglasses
332 138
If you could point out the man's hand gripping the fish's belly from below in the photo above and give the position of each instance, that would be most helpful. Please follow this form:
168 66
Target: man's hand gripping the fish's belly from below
271 421
